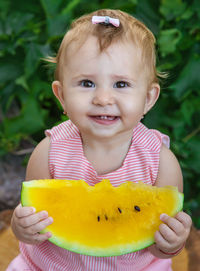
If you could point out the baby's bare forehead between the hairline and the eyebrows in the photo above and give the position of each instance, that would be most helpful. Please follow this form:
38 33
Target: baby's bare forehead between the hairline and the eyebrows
120 56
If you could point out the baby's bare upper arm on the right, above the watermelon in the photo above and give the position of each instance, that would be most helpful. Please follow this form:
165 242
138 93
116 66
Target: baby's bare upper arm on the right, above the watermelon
169 172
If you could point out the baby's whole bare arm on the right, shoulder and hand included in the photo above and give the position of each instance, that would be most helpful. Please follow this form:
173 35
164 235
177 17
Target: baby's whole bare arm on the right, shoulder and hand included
174 231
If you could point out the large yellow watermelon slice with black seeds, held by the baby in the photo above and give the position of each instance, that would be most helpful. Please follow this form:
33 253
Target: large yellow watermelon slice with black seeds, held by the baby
101 220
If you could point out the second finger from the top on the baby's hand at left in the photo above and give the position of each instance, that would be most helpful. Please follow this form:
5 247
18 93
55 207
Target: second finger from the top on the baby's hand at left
33 219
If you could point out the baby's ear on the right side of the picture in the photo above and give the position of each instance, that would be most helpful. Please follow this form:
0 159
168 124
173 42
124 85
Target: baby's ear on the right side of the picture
152 96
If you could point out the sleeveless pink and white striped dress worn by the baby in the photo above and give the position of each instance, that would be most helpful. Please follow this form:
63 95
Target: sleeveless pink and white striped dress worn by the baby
67 161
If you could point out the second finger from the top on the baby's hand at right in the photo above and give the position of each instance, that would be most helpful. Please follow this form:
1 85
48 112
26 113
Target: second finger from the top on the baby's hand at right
174 224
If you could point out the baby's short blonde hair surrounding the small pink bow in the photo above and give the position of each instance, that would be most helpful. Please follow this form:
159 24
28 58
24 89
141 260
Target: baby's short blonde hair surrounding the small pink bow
130 29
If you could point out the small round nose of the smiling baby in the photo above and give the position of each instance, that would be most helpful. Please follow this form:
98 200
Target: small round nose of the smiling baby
103 97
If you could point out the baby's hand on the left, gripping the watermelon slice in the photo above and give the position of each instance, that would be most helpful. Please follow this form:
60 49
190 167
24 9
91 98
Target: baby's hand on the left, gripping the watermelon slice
26 224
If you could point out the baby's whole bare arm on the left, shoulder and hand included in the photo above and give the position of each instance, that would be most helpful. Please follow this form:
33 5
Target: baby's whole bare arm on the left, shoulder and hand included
26 223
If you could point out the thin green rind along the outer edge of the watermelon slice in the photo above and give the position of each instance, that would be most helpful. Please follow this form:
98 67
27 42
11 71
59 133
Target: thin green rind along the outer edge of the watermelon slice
99 252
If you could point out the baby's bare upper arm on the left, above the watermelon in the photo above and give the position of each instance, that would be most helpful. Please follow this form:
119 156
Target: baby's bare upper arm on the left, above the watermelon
37 167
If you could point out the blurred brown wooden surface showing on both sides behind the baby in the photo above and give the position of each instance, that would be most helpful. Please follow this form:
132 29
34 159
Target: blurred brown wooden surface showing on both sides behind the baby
187 260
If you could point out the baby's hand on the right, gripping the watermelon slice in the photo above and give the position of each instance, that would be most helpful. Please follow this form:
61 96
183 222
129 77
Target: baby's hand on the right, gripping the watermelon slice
173 233
